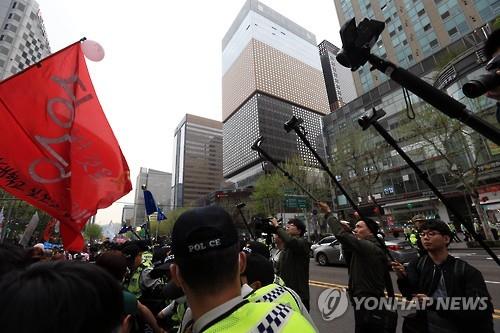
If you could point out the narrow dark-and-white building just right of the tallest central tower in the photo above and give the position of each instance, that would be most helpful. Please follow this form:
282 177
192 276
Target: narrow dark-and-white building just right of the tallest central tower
338 79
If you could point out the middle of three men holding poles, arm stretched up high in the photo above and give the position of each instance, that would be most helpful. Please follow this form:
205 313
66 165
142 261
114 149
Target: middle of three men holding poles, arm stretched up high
368 268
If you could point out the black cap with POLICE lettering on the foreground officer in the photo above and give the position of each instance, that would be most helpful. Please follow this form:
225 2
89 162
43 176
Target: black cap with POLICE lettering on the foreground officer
203 230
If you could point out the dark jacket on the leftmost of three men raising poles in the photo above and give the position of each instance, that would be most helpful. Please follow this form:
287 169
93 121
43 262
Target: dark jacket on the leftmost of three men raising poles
294 264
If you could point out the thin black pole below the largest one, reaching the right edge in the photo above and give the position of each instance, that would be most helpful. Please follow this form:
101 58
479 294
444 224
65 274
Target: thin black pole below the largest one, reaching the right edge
365 122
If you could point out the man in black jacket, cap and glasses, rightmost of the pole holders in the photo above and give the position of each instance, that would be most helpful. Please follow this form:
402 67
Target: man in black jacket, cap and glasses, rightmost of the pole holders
437 279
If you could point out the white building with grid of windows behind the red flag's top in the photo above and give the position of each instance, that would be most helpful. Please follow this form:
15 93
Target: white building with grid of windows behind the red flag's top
23 40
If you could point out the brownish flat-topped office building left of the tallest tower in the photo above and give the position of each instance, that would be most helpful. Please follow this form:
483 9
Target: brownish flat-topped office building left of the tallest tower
197 160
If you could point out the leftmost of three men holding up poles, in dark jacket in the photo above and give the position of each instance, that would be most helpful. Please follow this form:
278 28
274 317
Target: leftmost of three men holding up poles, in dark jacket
293 265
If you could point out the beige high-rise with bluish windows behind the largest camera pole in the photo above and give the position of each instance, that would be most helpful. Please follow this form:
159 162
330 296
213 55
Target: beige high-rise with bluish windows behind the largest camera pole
414 29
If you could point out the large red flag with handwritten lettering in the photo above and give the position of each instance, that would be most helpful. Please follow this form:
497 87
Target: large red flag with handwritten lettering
57 150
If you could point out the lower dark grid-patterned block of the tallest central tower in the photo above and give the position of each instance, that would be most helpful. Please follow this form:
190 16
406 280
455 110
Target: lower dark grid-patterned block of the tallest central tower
264 115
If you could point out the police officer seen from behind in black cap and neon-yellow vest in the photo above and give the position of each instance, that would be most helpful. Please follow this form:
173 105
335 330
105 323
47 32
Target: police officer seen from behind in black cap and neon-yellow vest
207 266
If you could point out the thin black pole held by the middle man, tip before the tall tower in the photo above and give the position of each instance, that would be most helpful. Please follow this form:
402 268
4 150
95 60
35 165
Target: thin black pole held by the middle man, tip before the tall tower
295 124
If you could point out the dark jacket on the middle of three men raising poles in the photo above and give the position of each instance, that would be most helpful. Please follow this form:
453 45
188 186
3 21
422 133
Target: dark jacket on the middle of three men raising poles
368 264
